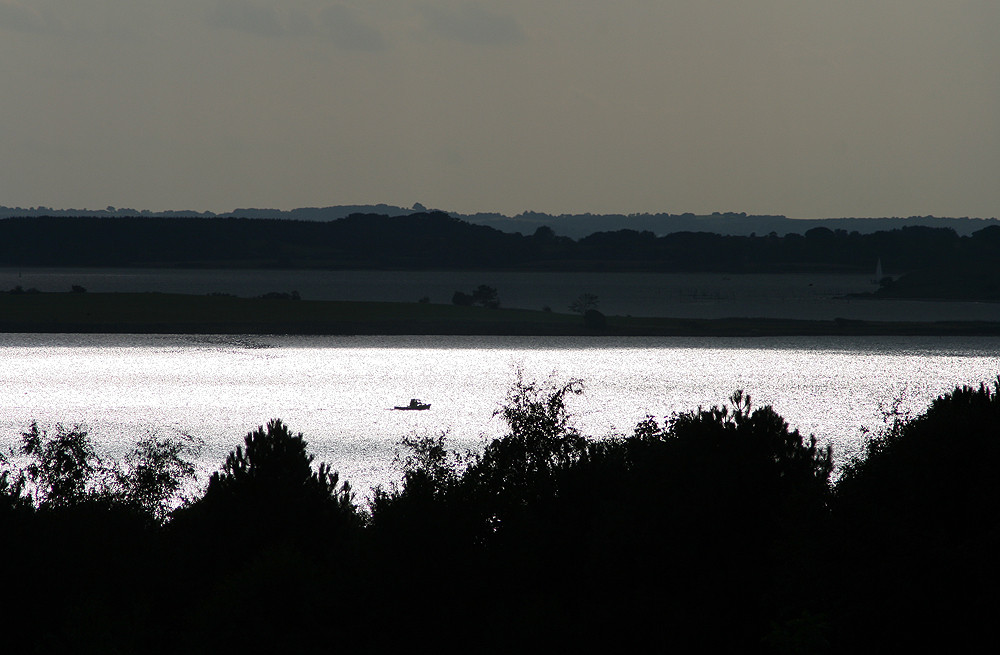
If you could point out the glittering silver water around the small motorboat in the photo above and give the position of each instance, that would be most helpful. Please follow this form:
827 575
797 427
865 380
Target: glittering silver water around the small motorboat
339 390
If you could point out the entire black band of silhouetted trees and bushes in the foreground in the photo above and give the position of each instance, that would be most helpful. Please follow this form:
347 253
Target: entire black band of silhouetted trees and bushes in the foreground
716 530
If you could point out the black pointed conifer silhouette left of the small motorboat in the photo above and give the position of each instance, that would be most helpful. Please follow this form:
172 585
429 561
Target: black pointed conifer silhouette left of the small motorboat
284 534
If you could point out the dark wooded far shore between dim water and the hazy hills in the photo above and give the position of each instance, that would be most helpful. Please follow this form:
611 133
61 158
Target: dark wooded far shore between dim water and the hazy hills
942 261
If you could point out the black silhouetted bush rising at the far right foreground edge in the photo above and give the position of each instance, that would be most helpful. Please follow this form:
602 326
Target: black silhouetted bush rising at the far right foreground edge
918 526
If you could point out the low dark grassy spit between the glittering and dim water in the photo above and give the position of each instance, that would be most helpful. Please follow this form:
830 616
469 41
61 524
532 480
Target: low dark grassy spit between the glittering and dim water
162 313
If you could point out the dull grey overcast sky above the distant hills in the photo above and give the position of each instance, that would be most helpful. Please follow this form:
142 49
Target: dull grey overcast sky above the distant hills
808 108
